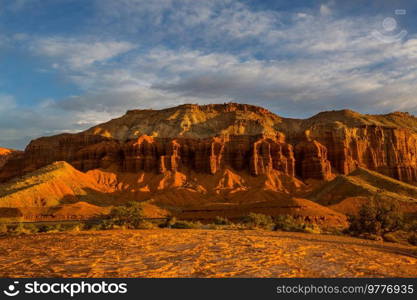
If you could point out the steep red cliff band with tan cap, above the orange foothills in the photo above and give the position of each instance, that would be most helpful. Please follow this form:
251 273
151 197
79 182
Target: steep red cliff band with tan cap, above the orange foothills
209 138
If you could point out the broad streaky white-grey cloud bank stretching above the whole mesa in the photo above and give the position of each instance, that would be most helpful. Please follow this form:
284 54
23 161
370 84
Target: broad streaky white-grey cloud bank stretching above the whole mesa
295 64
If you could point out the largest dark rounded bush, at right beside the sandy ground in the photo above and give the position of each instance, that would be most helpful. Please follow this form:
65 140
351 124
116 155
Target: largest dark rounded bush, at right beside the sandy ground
377 218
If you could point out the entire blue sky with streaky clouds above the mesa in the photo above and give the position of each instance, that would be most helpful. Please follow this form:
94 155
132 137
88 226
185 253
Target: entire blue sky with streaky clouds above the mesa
66 65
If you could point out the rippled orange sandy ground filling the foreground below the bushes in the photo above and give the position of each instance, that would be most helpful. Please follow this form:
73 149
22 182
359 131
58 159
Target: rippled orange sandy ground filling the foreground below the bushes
201 253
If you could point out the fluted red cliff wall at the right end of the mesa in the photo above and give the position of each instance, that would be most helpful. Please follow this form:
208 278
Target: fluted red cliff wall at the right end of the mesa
387 150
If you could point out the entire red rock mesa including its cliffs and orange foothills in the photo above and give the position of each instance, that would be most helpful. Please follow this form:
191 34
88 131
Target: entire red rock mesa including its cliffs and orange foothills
199 161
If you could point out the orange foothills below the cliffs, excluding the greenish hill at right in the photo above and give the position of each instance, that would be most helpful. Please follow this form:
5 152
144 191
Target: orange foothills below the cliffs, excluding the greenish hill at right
58 191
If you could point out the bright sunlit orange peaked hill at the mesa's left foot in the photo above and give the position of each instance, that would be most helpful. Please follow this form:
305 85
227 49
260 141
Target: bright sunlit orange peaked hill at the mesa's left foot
58 191
